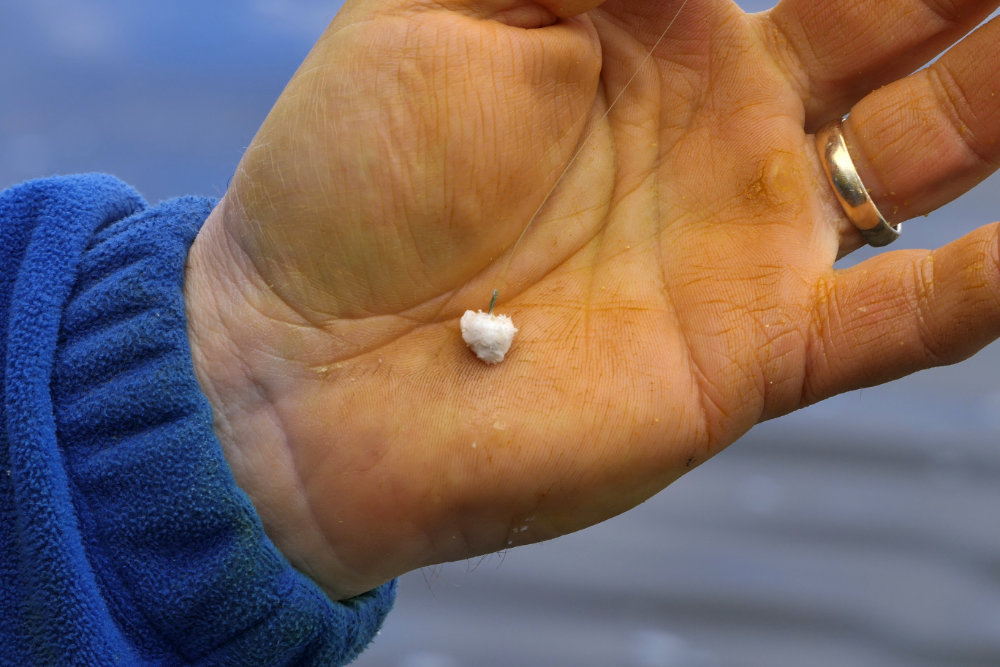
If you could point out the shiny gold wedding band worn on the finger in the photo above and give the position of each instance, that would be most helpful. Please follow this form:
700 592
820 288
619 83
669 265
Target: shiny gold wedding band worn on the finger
850 191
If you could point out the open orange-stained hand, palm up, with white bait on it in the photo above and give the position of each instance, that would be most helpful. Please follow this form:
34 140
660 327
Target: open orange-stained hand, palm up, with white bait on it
677 288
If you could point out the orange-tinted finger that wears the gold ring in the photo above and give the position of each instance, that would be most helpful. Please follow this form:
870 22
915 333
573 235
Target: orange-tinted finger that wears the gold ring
926 139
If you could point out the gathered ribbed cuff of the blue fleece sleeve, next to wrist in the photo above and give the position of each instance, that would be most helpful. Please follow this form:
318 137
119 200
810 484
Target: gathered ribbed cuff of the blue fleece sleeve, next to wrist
174 547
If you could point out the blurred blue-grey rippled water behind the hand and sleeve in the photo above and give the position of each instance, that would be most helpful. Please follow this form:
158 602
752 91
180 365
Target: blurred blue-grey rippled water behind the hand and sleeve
858 532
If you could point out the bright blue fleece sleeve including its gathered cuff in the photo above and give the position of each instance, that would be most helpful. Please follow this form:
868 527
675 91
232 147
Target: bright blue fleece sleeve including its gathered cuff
124 538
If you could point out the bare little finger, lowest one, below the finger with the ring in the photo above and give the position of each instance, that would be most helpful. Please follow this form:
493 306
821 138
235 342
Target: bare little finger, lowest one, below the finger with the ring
902 312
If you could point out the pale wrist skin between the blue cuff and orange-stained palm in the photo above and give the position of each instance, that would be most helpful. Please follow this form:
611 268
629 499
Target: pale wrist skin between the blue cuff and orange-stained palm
230 328
